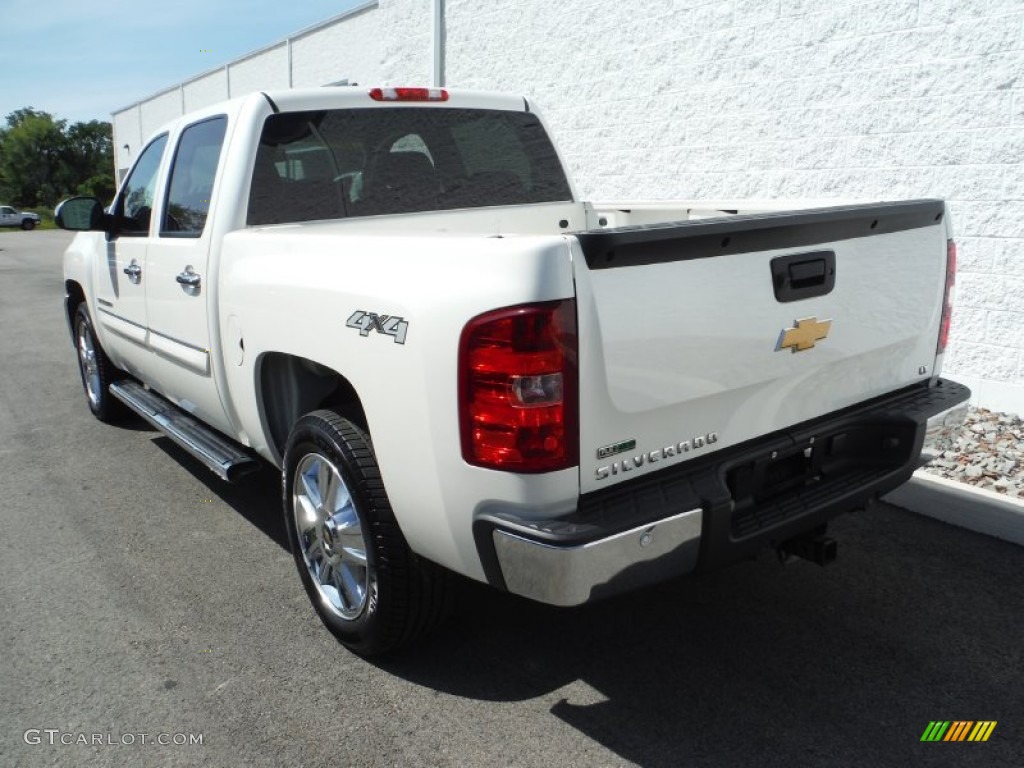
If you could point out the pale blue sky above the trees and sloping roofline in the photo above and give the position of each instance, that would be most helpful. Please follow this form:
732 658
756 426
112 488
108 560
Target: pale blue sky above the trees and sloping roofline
82 61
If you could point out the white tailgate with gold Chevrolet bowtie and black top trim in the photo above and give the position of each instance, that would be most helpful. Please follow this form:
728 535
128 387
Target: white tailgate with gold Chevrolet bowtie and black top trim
696 336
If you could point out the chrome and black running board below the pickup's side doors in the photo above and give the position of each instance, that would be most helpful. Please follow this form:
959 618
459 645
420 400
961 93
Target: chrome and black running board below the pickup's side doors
222 456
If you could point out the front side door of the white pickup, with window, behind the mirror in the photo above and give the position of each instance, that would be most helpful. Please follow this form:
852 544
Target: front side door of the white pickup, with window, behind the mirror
120 280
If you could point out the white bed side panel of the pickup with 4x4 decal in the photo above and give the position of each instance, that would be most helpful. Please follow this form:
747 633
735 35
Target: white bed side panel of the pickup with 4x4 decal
409 391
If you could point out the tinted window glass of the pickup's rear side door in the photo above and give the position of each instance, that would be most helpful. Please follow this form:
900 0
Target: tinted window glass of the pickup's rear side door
192 179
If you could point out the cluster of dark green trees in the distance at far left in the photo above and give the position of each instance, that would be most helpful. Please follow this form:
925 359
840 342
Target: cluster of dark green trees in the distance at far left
42 159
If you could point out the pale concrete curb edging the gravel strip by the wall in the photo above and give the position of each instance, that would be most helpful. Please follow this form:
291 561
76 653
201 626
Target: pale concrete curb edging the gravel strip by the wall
963 505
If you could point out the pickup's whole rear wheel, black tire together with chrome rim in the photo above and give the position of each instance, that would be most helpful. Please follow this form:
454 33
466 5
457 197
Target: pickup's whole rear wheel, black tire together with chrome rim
404 596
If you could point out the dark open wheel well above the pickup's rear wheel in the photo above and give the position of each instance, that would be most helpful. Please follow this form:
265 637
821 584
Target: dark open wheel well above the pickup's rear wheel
289 387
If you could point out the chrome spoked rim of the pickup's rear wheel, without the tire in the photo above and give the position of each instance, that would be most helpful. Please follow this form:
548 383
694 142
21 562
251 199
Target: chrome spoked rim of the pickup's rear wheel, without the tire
331 536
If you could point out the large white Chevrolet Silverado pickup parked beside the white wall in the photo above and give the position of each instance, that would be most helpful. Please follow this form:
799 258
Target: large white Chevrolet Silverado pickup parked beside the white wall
395 296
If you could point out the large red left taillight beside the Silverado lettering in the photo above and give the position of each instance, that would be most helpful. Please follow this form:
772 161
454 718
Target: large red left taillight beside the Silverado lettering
518 389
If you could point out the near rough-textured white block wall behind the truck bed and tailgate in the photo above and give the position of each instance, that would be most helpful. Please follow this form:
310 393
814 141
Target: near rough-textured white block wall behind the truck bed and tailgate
780 99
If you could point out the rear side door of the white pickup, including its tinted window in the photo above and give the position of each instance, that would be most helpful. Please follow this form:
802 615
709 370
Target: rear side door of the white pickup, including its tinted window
180 284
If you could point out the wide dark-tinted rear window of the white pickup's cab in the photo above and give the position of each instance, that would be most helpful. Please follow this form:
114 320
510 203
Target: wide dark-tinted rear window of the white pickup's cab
344 163
